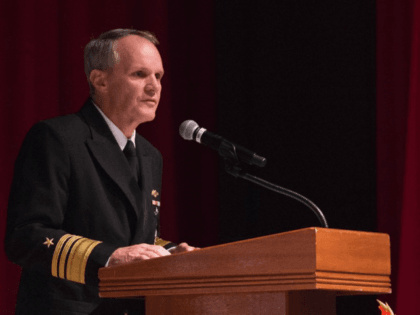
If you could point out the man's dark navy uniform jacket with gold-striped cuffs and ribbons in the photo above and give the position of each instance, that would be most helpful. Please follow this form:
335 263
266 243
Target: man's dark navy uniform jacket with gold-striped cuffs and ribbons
73 201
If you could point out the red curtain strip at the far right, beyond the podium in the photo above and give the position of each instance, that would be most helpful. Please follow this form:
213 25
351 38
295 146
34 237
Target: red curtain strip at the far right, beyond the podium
398 145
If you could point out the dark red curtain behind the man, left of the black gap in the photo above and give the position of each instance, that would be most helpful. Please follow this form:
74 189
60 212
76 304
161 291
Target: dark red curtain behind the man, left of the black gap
42 76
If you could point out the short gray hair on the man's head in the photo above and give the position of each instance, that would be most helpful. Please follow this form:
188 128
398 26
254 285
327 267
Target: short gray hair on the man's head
100 53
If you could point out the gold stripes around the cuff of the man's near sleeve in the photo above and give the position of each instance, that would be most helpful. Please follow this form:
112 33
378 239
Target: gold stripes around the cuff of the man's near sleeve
70 257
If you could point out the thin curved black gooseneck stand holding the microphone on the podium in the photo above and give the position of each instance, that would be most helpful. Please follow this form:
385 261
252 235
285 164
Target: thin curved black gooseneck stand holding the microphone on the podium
232 165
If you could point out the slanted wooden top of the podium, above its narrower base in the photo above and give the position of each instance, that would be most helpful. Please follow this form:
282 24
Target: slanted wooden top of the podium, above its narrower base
309 258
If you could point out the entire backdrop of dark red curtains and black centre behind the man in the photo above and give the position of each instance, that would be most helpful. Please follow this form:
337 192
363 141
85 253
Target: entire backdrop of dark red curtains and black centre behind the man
325 90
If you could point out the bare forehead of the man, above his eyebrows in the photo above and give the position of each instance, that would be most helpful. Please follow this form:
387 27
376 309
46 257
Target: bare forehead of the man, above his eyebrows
136 51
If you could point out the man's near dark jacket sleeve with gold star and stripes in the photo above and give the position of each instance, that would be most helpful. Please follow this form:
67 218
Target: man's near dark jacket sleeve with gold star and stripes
38 200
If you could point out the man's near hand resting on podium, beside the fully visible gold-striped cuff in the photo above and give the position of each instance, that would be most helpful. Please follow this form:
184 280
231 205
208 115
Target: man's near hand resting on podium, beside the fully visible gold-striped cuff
138 252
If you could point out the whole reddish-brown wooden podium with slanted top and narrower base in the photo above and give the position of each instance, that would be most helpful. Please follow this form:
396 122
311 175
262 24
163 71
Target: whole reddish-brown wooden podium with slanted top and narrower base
298 272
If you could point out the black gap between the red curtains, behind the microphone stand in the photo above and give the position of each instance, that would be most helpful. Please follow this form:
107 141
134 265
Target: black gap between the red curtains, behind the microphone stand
296 84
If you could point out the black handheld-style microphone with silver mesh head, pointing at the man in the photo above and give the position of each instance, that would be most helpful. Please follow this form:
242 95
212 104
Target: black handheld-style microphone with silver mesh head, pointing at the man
189 130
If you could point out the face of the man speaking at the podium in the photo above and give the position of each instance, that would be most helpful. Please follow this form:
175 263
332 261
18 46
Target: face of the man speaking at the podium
134 83
